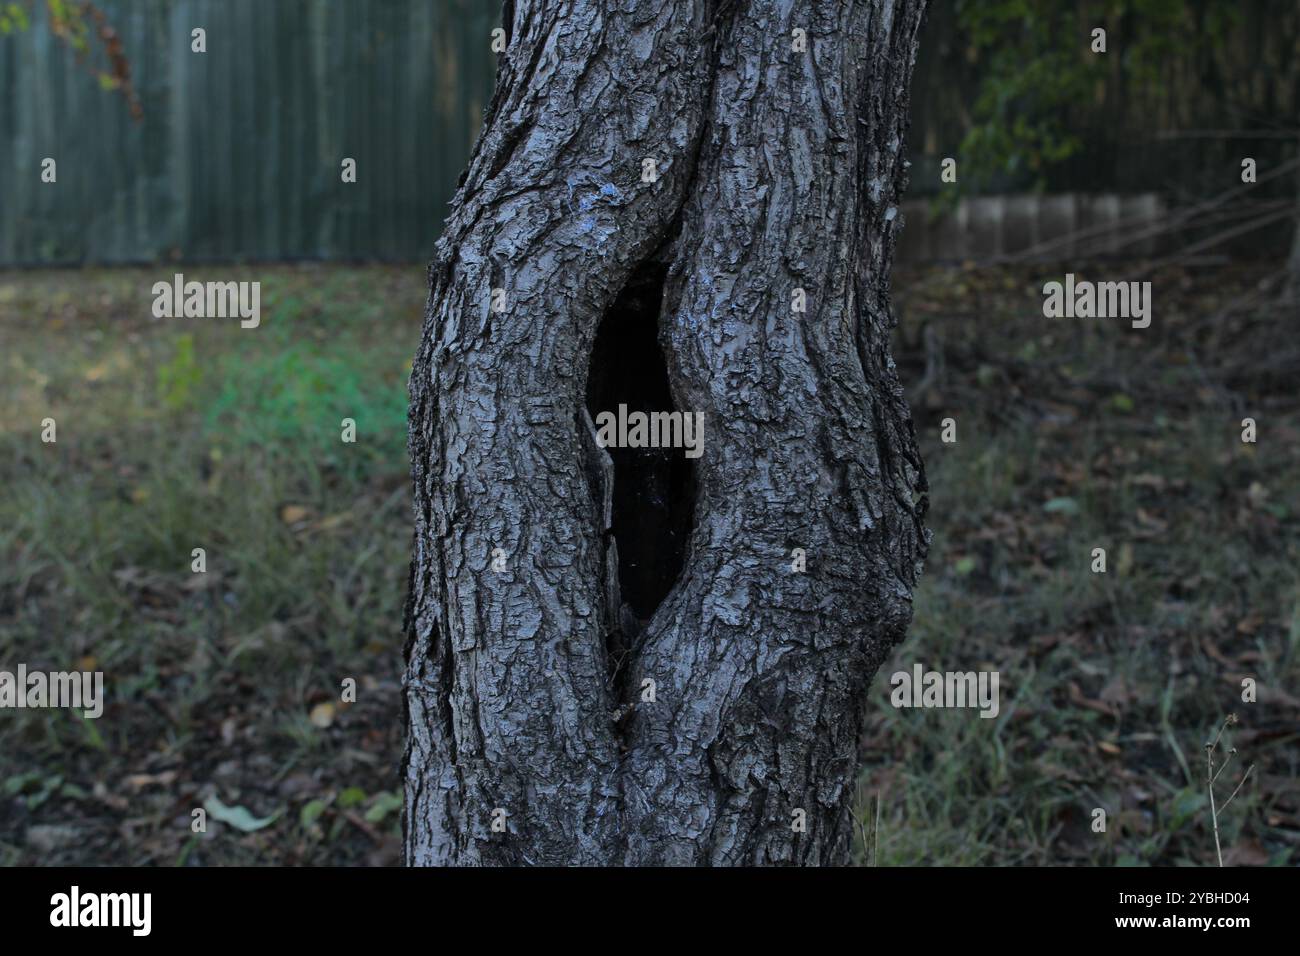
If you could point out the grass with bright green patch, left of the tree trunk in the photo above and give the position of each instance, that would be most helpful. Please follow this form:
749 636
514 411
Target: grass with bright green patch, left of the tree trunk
183 435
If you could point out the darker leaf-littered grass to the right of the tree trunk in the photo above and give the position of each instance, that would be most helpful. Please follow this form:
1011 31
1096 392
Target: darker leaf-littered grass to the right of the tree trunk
1112 684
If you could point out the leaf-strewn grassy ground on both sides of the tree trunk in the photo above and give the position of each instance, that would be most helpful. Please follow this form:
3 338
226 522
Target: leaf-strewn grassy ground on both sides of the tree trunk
224 689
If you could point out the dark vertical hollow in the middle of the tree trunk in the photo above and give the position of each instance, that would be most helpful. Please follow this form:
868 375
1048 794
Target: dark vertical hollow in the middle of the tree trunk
653 487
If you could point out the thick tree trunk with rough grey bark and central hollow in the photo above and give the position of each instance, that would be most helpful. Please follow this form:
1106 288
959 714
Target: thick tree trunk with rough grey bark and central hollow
612 657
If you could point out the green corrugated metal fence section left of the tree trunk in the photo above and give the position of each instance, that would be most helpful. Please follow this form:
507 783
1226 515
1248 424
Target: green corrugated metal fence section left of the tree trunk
241 149
